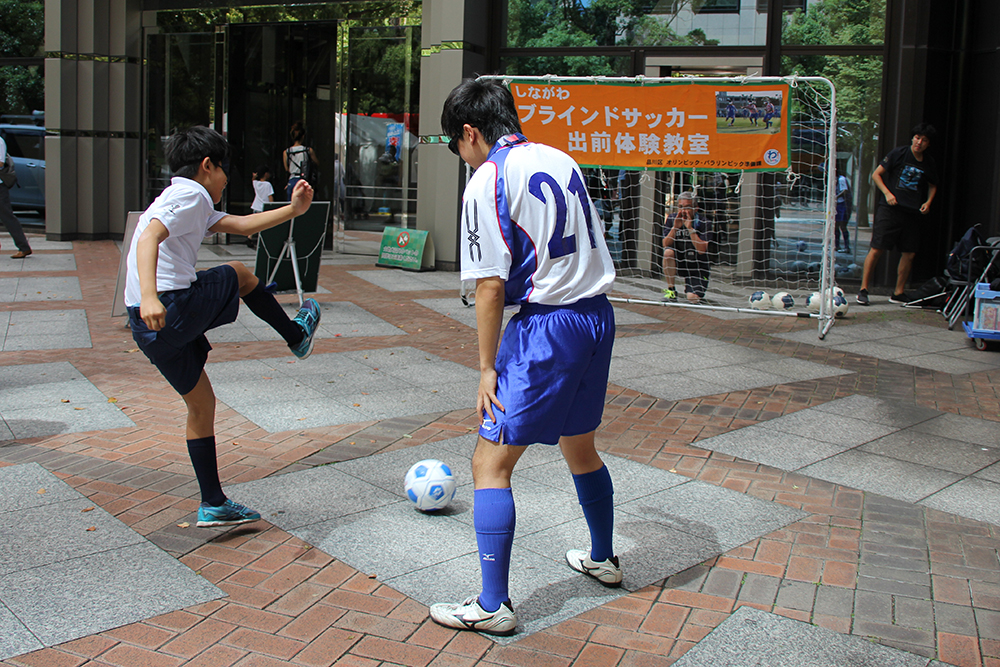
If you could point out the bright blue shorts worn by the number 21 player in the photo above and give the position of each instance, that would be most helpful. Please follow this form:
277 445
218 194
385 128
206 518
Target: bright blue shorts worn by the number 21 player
552 370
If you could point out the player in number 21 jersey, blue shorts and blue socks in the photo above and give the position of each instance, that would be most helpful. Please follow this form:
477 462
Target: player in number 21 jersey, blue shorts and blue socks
530 238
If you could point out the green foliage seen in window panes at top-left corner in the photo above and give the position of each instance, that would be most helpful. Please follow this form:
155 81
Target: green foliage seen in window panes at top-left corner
22 89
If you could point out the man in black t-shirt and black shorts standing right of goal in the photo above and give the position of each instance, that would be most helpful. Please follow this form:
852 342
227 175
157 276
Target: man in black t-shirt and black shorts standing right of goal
907 182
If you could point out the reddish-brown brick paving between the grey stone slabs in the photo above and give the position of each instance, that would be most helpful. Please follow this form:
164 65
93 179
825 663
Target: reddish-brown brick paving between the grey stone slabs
905 576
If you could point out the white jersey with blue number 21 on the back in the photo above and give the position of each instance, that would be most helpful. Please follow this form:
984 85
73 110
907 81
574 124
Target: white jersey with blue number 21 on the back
527 218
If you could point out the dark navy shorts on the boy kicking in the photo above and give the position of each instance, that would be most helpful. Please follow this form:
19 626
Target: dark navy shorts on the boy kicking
179 350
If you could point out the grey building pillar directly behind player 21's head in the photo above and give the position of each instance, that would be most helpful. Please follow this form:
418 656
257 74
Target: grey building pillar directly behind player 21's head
453 40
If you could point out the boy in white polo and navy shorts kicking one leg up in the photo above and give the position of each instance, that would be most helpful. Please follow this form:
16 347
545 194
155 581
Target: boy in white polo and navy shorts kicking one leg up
171 306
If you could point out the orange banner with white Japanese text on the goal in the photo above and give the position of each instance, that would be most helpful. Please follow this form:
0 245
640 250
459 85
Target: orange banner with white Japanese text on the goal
707 127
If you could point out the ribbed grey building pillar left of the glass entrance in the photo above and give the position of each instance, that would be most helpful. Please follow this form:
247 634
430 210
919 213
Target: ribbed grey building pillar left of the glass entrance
92 115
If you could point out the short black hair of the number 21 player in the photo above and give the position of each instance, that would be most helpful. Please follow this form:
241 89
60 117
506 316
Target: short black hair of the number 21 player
485 105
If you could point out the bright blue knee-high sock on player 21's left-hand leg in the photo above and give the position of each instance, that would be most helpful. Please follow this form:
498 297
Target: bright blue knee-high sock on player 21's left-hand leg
494 518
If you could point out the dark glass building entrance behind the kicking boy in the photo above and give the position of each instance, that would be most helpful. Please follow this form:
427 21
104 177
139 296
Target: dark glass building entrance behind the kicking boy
353 87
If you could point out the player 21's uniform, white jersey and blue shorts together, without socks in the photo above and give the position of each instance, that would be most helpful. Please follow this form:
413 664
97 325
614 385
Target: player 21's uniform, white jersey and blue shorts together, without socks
527 219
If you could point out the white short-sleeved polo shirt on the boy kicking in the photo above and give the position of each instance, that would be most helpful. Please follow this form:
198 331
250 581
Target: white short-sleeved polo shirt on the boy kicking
185 208
